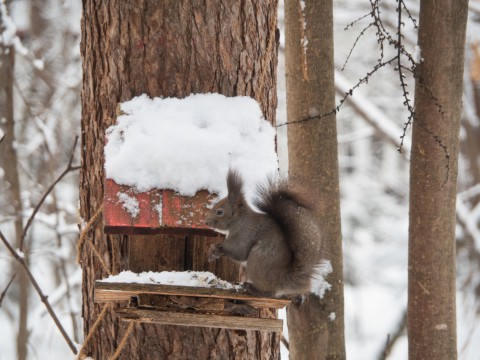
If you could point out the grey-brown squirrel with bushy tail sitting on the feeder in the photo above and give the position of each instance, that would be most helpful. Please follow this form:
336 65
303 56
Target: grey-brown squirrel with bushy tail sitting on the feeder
281 246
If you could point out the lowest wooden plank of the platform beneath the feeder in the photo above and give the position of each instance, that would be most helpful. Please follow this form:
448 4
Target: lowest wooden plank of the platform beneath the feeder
201 320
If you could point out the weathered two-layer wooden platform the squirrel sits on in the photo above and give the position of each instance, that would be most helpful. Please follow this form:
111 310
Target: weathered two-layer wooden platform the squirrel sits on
192 306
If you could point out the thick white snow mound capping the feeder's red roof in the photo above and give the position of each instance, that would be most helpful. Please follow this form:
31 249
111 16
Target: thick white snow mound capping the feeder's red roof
189 144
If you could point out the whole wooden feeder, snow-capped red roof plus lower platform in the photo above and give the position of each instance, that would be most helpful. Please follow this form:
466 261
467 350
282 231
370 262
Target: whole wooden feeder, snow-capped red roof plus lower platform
159 158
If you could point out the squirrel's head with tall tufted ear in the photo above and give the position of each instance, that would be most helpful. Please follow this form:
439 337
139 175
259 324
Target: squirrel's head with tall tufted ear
226 211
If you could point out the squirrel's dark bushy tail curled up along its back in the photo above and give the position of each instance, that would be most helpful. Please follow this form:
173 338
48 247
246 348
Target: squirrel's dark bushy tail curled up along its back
293 208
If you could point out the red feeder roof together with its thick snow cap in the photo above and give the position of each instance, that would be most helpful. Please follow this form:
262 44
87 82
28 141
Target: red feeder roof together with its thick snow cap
166 159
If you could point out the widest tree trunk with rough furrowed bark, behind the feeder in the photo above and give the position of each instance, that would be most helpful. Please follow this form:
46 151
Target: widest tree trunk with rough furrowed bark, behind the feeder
168 49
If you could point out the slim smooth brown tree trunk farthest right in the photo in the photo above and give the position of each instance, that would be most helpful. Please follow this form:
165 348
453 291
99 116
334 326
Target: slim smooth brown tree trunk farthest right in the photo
433 178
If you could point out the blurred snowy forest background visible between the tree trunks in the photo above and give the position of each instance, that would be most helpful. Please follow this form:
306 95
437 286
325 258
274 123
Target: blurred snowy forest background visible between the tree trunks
46 82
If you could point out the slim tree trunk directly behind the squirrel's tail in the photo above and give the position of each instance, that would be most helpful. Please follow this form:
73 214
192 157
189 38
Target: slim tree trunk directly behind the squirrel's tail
312 152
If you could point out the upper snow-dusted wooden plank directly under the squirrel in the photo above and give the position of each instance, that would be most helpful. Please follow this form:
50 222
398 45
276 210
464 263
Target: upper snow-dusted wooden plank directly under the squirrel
107 292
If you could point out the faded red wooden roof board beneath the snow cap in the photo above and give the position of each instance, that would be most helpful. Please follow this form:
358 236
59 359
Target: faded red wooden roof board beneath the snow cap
160 212
